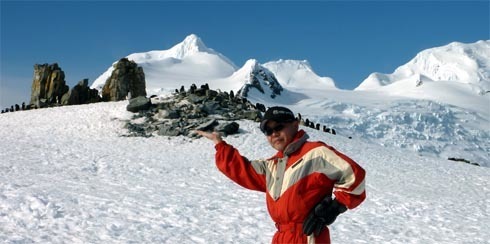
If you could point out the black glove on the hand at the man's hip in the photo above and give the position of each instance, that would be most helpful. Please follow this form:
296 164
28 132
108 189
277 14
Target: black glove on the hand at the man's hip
323 214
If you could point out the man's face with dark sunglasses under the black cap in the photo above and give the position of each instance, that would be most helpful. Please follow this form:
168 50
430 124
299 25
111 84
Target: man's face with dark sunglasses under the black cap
282 133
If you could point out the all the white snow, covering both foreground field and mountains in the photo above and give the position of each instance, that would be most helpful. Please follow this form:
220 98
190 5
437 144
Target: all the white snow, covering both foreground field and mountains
70 174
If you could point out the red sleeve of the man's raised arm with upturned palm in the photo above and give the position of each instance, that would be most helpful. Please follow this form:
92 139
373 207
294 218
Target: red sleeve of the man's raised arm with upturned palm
239 169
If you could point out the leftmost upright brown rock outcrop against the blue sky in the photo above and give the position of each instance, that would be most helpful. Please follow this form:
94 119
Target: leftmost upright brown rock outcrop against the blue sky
48 85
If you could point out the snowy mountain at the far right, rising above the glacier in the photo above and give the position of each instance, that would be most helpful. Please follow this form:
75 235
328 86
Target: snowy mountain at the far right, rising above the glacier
455 64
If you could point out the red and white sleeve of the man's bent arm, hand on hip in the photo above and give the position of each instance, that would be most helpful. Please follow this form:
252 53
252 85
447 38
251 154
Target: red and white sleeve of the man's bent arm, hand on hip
349 186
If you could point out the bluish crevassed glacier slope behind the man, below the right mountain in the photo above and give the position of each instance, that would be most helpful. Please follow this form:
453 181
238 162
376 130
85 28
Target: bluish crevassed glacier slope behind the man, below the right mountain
456 128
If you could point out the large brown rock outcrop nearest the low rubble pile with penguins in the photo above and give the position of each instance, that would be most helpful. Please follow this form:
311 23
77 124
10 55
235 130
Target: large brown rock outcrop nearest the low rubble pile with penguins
126 81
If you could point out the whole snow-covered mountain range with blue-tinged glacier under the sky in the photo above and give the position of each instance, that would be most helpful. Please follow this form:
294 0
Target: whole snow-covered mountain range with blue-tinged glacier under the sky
433 105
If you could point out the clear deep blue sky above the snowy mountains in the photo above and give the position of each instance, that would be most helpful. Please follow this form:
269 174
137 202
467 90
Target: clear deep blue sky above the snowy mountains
344 40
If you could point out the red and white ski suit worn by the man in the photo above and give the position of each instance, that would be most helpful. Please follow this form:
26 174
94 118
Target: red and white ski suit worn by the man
294 181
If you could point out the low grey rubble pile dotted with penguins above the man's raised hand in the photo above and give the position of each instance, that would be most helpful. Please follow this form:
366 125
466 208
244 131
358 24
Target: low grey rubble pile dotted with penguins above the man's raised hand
185 111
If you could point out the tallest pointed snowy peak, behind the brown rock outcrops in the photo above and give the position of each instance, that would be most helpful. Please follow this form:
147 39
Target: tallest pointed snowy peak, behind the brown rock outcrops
184 64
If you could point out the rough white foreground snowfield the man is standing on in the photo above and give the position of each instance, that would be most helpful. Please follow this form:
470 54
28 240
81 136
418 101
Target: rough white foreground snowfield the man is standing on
68 175
